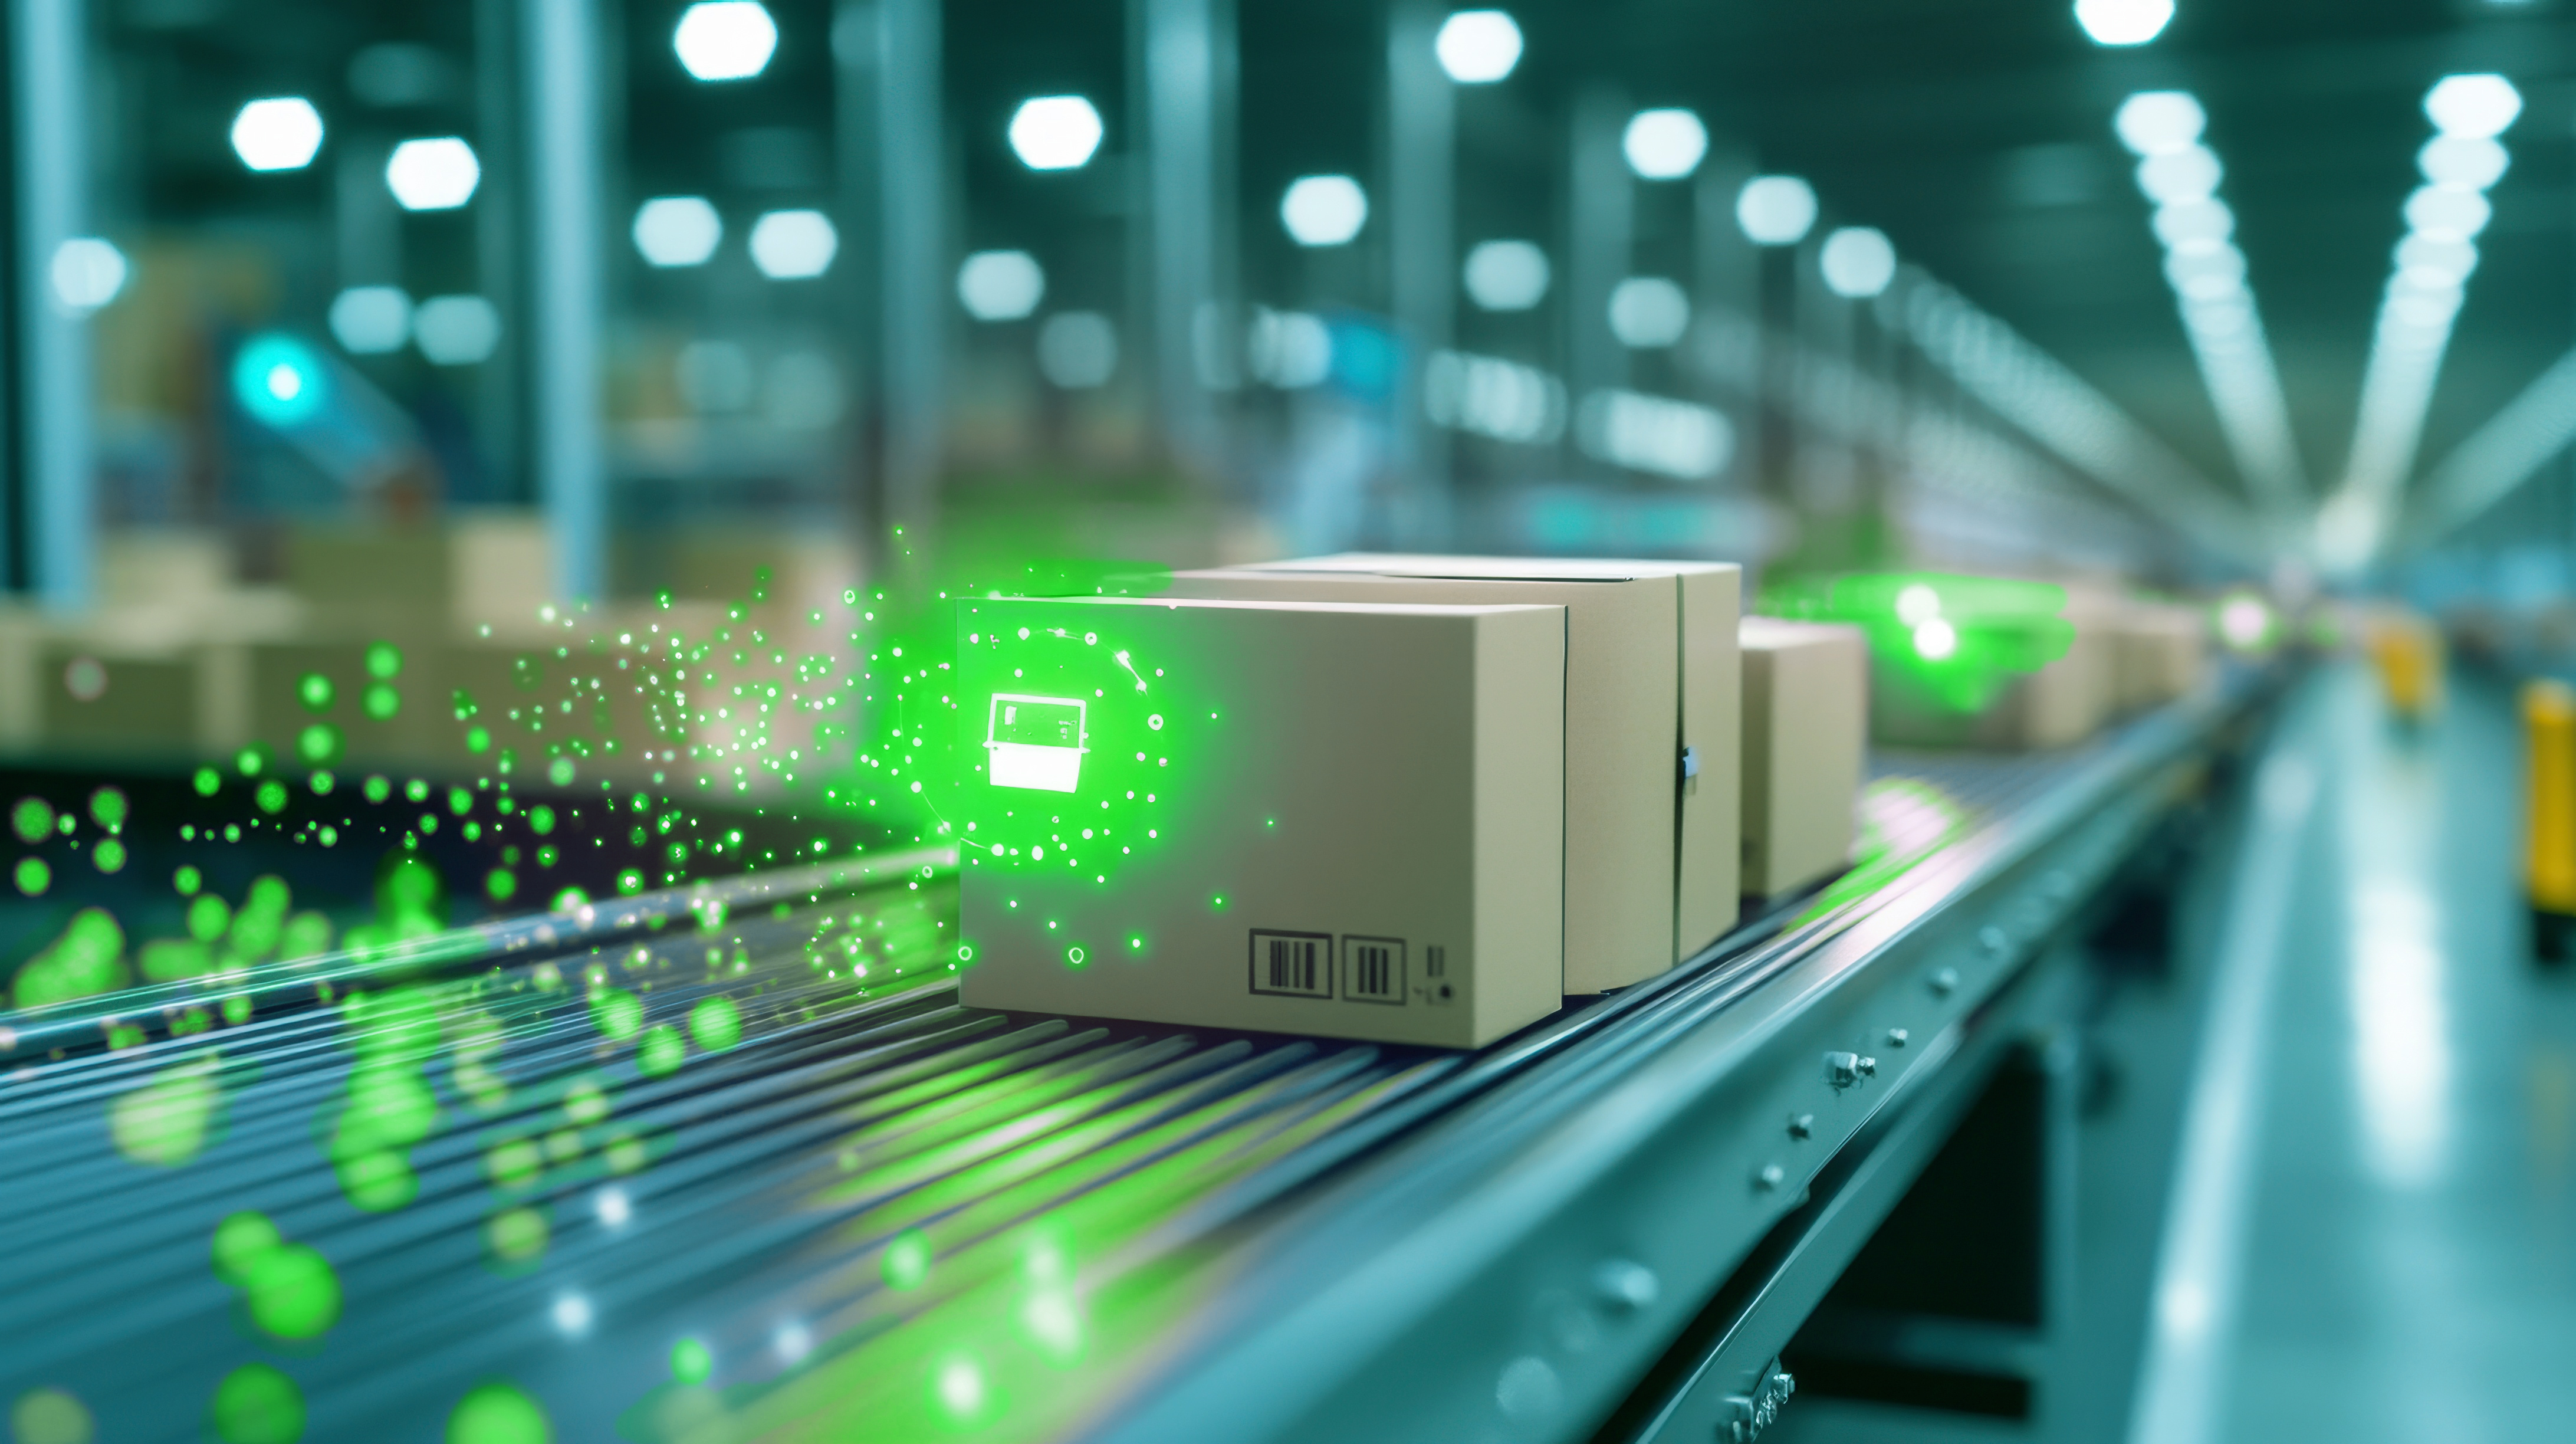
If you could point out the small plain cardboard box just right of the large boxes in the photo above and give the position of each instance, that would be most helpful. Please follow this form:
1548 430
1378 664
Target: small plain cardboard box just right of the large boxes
1807 708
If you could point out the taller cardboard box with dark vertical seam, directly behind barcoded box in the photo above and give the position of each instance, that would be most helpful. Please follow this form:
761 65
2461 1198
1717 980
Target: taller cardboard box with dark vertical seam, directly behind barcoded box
1653 731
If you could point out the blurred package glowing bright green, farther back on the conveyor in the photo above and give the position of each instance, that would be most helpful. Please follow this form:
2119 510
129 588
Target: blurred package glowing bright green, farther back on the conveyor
1967 661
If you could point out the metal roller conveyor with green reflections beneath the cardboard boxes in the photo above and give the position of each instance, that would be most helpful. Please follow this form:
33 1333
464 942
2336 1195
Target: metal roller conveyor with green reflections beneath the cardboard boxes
790 1200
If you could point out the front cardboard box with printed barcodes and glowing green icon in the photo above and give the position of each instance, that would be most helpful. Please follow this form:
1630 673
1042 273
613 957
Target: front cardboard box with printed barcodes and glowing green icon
1315 819
